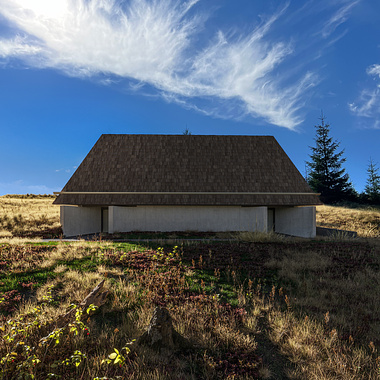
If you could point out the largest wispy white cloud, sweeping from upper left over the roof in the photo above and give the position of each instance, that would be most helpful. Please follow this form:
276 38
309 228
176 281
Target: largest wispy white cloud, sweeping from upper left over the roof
156 42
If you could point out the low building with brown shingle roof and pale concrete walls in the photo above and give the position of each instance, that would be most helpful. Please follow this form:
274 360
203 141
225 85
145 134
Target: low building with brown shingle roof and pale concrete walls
187 183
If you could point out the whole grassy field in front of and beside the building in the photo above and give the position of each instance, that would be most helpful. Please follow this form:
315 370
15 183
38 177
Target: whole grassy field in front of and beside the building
260 307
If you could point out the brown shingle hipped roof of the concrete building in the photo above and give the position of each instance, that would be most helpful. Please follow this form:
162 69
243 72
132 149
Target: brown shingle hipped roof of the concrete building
187 164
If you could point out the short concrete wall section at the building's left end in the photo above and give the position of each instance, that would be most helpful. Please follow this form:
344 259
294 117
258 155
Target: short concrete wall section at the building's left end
80 220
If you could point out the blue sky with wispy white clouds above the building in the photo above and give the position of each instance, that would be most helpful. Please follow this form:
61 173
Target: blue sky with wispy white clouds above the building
71 70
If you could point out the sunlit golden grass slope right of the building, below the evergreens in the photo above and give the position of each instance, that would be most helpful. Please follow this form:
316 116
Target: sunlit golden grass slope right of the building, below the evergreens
364 221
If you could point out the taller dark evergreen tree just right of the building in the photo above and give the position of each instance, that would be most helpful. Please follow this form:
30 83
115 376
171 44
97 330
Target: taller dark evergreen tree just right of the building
326 175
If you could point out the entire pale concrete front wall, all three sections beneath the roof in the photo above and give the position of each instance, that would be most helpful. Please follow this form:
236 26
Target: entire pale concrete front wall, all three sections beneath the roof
296 221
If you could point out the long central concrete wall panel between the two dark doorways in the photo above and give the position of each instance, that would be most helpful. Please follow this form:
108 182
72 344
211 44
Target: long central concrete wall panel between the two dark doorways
187 218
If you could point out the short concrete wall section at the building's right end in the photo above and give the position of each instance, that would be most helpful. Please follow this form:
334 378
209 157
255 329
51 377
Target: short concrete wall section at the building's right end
296 221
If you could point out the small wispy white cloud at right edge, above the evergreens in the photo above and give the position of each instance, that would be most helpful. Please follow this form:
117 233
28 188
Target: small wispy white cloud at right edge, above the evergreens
368 103
